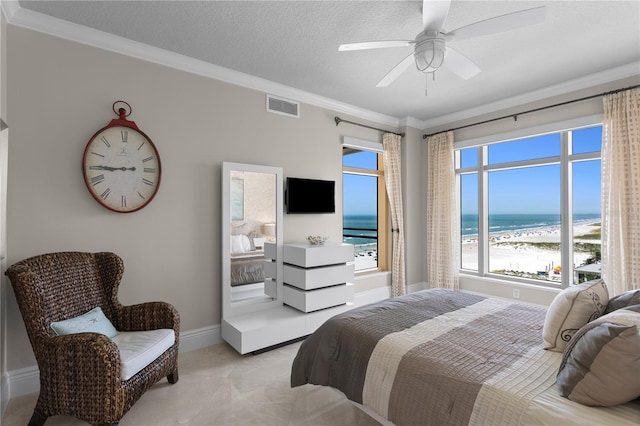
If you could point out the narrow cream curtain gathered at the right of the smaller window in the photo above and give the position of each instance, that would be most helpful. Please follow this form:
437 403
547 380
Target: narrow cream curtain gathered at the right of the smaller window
392 176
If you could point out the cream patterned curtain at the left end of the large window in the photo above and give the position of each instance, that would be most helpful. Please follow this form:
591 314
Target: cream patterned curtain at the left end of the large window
443 230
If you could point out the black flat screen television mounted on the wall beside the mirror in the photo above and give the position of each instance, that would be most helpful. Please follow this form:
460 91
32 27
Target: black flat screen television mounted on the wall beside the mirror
310 196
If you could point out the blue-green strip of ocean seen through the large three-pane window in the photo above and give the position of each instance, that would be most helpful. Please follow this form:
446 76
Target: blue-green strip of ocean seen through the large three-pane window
516 222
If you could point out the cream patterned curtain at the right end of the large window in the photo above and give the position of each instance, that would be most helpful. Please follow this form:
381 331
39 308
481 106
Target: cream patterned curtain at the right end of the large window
621 191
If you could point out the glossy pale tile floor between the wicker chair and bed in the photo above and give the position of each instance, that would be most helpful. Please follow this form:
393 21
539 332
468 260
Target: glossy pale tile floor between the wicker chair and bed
218 386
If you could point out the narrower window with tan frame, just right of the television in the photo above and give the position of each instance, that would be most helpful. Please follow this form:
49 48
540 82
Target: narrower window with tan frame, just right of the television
364 207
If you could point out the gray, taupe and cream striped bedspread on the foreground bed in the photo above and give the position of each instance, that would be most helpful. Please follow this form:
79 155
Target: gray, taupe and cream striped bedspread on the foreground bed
439 357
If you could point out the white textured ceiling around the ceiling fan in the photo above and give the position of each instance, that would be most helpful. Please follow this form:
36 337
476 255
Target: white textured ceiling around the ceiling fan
296 44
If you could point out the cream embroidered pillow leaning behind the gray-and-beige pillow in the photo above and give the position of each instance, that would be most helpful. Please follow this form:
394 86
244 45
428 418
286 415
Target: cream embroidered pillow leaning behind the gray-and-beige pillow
572 308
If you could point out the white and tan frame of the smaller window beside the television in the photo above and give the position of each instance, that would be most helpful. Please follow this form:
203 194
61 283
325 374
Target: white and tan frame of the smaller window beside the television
383 224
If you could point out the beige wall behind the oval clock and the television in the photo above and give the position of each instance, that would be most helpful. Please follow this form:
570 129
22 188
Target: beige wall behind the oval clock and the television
60 94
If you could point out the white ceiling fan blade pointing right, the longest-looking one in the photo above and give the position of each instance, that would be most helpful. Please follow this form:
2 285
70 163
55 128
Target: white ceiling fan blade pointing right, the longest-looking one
498 24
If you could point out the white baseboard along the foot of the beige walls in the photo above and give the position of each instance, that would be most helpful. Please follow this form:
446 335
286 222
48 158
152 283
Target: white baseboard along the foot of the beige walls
27 380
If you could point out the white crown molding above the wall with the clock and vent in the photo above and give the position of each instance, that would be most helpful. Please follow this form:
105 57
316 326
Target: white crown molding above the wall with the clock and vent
39 22
